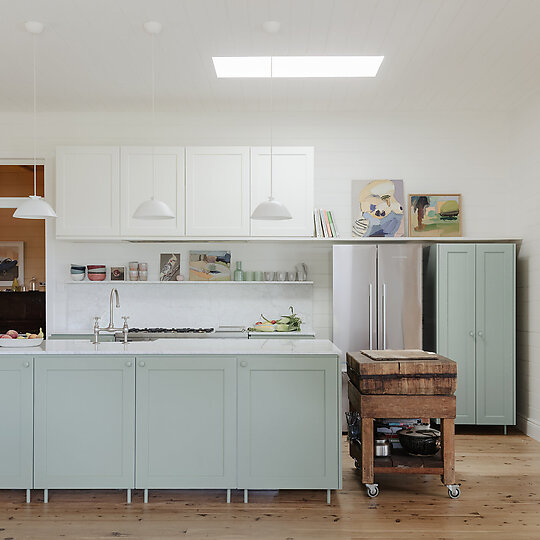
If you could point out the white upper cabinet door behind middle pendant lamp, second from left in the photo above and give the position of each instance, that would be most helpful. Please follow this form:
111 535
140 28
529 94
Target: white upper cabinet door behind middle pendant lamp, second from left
136 186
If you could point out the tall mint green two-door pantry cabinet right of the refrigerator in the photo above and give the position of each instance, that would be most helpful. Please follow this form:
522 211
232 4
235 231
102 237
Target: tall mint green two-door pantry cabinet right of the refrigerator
471 293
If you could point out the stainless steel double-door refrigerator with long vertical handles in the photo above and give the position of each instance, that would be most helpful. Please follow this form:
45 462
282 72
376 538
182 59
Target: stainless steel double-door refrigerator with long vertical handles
377 296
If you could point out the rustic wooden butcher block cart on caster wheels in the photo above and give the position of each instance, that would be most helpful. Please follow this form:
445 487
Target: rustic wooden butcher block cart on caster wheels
402 384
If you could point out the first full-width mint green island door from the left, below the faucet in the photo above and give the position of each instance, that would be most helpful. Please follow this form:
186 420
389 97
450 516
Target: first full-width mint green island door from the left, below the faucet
84 422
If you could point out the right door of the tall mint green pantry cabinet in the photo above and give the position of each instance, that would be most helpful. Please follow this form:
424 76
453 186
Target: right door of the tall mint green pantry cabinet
495 331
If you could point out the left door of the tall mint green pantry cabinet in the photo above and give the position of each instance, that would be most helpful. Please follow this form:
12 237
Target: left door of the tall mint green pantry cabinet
456 321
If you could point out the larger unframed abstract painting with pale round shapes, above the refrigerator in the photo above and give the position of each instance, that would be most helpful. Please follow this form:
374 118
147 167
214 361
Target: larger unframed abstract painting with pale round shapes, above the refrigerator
377 208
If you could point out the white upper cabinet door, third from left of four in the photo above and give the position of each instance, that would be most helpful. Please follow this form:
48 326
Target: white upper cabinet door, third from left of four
217 191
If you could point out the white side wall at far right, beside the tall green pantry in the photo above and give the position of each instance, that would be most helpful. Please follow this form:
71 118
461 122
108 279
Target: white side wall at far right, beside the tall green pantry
524 219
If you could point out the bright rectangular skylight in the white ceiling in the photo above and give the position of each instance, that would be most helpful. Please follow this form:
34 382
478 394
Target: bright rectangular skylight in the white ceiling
296 66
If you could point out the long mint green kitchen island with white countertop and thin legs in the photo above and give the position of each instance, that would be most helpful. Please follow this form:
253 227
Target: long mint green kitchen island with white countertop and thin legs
171 414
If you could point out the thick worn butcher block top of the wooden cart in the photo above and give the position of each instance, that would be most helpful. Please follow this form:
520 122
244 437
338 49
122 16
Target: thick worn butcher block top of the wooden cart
402 372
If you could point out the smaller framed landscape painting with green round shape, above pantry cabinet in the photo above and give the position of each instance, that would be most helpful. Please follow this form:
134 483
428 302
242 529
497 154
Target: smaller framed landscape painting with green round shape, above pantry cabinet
434 215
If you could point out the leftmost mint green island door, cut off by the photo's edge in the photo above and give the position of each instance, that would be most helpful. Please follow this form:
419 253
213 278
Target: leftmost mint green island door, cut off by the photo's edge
16 439
